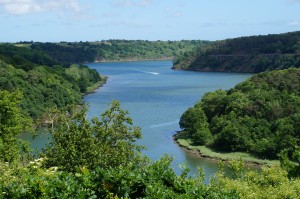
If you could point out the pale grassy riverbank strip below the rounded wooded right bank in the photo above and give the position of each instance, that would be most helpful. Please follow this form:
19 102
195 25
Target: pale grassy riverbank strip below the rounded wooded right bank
208 153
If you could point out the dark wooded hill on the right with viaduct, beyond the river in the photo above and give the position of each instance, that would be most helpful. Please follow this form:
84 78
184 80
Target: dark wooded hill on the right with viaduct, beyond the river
252 54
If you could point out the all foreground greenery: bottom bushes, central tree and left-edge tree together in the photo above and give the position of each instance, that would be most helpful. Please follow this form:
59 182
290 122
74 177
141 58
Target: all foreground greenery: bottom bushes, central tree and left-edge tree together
99 159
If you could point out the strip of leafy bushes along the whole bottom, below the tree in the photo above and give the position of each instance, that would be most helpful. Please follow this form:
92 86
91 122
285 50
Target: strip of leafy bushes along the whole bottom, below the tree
144 180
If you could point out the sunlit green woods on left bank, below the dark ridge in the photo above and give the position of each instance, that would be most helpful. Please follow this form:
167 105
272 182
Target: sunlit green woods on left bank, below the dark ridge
45 88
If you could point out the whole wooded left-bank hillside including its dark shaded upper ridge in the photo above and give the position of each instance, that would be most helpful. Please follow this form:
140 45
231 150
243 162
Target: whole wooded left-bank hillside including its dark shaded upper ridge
44 83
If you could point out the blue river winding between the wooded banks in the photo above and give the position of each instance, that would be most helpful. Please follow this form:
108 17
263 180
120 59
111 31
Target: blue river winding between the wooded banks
156 97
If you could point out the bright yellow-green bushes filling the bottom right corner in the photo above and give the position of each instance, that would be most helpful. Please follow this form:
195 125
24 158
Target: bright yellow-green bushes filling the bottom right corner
271 182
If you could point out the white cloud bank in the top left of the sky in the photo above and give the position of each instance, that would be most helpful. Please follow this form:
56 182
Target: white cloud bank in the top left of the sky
22 7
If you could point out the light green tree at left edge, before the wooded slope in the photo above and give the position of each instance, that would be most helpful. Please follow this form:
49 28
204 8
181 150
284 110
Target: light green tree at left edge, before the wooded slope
12 123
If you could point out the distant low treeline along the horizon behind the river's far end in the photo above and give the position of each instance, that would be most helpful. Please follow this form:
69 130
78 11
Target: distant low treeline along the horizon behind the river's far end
114 50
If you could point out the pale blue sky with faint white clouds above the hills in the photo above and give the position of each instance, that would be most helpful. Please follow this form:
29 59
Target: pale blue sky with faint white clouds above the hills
96 20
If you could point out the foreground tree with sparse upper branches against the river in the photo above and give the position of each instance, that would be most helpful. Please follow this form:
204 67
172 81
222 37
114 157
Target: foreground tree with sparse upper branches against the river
108 142
